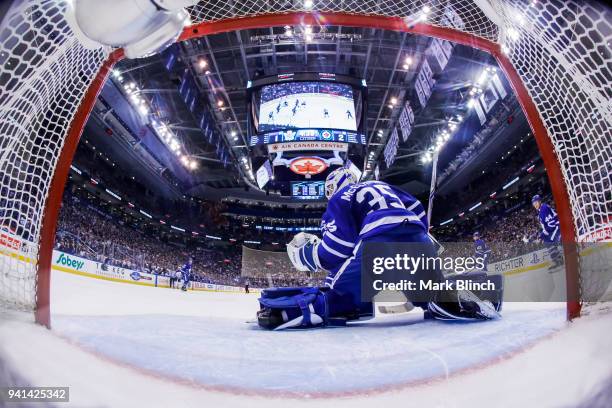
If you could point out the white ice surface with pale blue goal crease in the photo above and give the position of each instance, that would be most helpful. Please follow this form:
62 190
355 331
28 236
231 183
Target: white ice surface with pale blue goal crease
145 343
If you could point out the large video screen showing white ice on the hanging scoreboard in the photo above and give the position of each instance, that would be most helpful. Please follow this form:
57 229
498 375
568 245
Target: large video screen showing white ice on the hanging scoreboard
306 105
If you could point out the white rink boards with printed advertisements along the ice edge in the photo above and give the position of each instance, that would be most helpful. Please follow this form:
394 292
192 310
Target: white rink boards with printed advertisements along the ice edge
527 277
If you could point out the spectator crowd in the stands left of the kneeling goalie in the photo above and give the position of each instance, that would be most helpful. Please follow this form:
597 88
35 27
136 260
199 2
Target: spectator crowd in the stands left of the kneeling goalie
87 231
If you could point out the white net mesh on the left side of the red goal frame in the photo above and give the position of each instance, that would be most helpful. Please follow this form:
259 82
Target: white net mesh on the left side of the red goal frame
45 73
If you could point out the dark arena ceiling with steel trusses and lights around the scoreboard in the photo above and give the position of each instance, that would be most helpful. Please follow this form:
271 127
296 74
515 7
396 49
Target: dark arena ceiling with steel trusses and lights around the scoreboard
222 64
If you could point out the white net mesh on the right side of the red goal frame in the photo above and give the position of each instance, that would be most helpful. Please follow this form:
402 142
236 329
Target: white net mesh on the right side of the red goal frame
561 51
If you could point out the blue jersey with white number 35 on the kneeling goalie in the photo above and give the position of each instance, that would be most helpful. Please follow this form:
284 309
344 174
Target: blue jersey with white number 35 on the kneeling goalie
362 210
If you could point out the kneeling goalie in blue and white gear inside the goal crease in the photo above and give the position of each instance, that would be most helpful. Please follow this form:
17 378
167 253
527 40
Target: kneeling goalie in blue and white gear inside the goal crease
358 213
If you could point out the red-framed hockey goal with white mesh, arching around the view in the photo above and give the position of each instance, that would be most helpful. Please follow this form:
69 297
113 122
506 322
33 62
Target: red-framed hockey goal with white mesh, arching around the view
559 51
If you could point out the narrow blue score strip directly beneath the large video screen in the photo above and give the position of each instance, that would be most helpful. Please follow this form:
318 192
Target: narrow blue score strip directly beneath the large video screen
308 135
